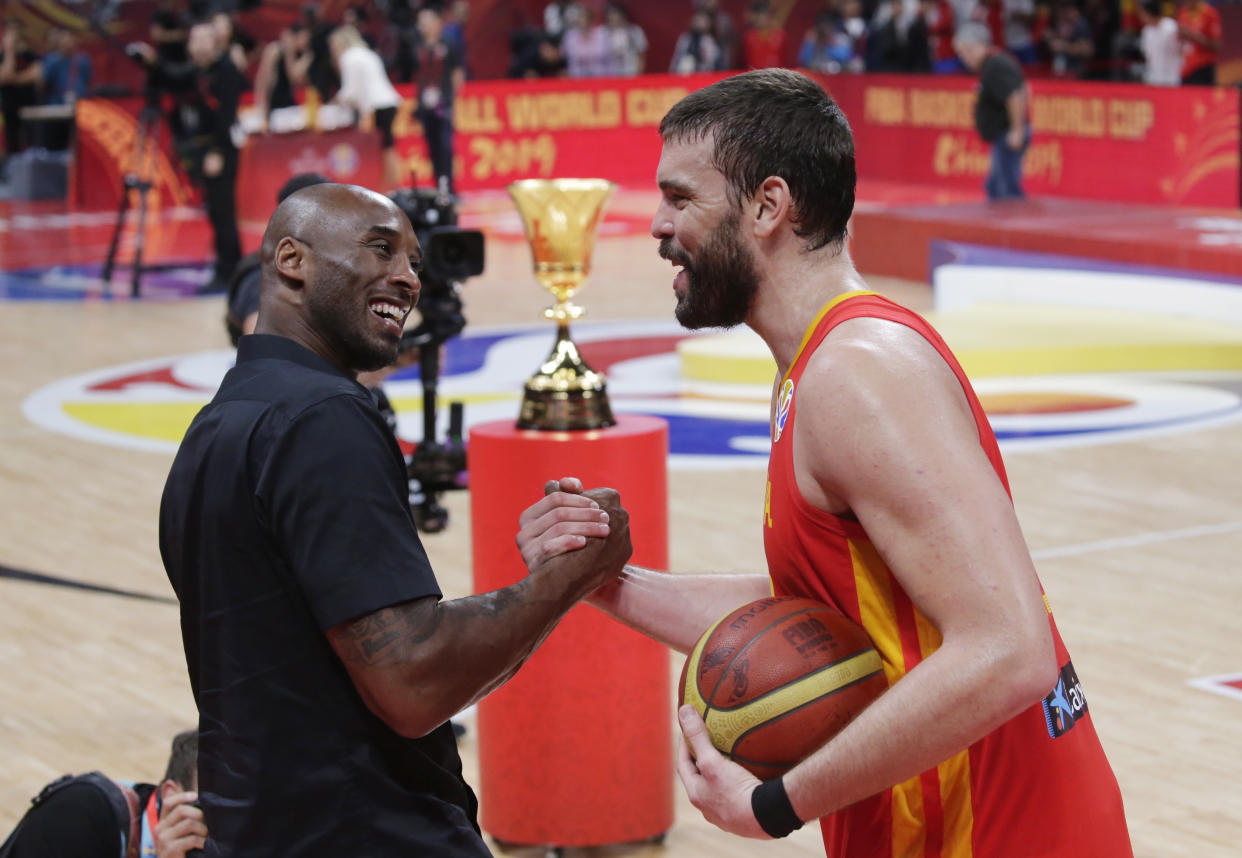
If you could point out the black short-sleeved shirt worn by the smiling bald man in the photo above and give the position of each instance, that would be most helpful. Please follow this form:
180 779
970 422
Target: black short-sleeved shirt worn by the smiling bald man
286 513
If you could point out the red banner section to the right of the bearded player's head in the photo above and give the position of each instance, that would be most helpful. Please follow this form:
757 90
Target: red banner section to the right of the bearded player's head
1116 142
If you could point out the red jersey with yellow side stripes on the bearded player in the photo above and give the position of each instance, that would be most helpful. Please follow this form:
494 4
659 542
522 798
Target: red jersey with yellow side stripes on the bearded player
1039 785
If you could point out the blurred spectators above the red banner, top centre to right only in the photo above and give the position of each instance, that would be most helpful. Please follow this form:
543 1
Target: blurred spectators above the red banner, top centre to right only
1168 42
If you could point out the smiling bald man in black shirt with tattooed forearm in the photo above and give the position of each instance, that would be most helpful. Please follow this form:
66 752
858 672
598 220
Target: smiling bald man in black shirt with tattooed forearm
325 665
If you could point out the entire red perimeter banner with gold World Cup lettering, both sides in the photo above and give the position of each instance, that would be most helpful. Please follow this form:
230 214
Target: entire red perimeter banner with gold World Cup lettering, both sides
1127 143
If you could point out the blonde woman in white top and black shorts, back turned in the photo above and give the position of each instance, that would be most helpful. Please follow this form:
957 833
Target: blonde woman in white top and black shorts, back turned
365 88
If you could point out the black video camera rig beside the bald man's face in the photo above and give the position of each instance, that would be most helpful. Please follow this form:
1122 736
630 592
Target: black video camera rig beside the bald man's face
450 256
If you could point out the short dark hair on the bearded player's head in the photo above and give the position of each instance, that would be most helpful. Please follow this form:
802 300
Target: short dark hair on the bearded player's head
776 122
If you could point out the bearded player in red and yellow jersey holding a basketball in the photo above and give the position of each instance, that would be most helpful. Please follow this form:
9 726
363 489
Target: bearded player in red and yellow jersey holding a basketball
887 500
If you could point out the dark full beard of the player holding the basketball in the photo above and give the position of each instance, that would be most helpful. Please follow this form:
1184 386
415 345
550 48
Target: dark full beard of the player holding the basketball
721 281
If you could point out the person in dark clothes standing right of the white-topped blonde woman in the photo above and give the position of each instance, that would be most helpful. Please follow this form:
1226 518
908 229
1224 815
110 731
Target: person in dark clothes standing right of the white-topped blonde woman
439 75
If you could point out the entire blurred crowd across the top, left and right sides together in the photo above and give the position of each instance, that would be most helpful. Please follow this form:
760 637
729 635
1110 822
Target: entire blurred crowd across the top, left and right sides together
1163 43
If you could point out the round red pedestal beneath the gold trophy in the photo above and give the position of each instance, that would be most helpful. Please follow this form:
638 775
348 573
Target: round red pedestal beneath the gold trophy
577 749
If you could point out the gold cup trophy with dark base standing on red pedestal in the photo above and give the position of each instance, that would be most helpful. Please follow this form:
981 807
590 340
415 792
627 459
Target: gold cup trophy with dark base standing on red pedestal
561 217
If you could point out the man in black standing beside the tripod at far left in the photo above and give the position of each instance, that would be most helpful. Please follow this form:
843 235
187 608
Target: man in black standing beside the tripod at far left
204 129
